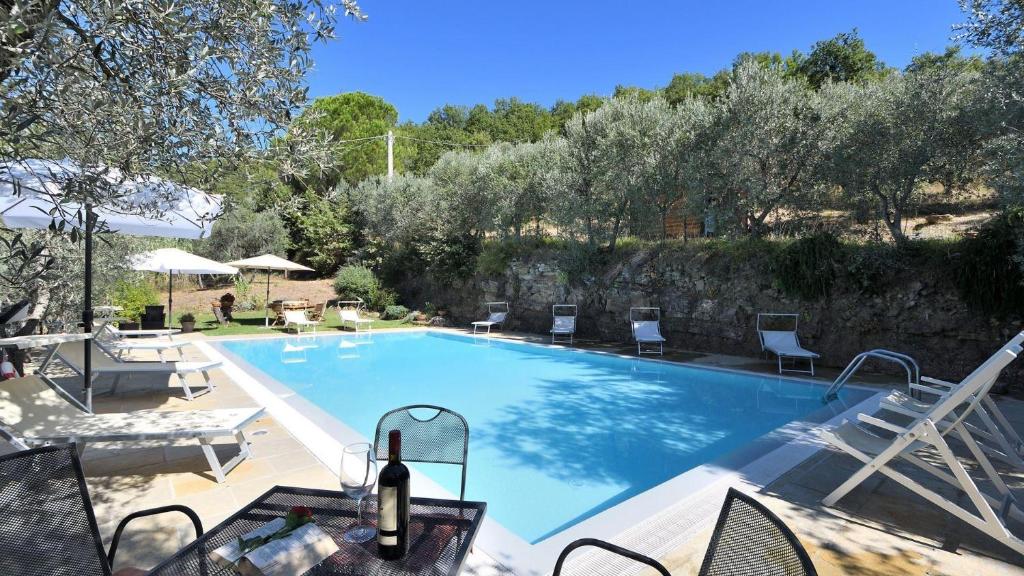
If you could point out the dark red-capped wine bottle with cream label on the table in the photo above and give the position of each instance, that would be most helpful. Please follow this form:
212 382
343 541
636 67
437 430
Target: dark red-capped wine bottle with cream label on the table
393 504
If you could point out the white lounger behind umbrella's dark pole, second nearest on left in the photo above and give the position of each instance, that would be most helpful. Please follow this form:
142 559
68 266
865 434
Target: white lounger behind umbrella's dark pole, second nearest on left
73 355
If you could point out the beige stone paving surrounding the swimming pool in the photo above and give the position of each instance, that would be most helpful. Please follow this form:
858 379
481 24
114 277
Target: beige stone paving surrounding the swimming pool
880 529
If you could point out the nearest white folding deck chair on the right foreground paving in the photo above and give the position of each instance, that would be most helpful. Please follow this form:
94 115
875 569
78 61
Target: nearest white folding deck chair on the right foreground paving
987 513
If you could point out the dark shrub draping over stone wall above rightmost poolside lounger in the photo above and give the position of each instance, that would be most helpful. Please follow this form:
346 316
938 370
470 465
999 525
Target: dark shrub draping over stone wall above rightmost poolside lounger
807 268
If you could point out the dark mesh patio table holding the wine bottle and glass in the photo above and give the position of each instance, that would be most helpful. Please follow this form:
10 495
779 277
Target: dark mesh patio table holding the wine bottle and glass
441 536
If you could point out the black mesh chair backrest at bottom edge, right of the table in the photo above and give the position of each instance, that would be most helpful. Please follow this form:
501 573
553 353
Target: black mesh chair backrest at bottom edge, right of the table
750 540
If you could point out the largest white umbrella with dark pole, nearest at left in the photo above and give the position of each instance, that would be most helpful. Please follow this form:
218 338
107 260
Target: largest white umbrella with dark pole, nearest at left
36 194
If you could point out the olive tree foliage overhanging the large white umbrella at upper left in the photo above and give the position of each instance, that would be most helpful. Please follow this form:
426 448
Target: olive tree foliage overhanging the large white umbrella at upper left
179 90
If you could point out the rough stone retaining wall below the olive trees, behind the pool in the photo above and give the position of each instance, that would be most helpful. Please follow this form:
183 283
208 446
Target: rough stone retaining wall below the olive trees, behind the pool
712 307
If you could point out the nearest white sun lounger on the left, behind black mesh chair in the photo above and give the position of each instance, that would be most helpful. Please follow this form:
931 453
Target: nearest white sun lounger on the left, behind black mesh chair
34 415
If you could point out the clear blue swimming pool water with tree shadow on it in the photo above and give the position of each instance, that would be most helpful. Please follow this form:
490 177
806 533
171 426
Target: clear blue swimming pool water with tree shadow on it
557 436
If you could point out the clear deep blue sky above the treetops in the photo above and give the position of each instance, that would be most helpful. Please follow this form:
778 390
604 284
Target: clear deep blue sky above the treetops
422 55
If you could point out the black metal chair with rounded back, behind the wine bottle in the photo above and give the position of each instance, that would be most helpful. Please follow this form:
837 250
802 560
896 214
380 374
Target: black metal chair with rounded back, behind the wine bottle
443 439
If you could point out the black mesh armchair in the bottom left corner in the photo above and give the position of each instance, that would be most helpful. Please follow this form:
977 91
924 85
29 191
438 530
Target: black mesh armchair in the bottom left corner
49 526
